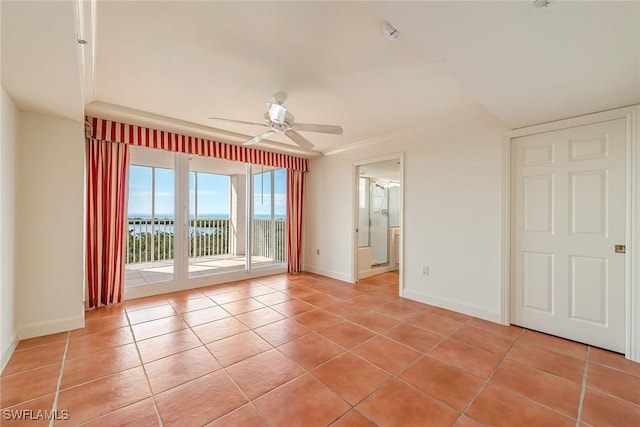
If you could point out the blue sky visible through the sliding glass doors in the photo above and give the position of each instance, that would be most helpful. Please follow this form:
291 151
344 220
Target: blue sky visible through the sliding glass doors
213 192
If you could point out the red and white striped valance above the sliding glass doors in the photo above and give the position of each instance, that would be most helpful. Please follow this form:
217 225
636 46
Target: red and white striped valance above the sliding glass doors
107 130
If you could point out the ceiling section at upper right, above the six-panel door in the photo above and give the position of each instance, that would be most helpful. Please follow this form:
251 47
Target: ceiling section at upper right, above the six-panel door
531 65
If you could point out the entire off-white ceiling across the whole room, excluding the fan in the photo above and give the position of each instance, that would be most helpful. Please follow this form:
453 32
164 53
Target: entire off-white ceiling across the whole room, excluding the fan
173 64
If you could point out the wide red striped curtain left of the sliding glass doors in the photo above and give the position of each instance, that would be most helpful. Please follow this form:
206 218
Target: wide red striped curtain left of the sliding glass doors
107 175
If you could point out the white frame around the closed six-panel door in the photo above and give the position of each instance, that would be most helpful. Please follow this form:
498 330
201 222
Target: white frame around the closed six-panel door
632 268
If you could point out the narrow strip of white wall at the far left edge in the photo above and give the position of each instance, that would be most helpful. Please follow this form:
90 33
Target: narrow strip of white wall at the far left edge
8 142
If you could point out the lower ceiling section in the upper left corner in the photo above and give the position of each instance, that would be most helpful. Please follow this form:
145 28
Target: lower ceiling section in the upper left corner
40 68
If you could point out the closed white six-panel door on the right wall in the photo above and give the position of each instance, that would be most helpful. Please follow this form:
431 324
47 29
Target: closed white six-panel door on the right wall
568 214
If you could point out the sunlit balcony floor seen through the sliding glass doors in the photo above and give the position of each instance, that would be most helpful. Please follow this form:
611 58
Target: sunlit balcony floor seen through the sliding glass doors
145 273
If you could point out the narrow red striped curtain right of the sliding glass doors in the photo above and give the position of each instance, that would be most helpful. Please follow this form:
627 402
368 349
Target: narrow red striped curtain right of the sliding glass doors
295 193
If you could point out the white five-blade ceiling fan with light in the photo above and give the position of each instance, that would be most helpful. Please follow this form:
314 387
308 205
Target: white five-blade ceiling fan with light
278 119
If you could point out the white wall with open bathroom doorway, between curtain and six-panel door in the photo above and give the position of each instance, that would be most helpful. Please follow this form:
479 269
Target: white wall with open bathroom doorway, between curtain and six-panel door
452 214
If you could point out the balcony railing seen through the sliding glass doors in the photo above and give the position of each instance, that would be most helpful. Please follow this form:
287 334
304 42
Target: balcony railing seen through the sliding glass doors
153 240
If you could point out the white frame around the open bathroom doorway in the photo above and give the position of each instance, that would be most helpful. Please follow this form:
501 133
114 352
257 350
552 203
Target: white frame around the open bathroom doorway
354 215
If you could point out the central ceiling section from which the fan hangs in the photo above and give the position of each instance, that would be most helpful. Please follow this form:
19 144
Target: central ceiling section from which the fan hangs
193 60
